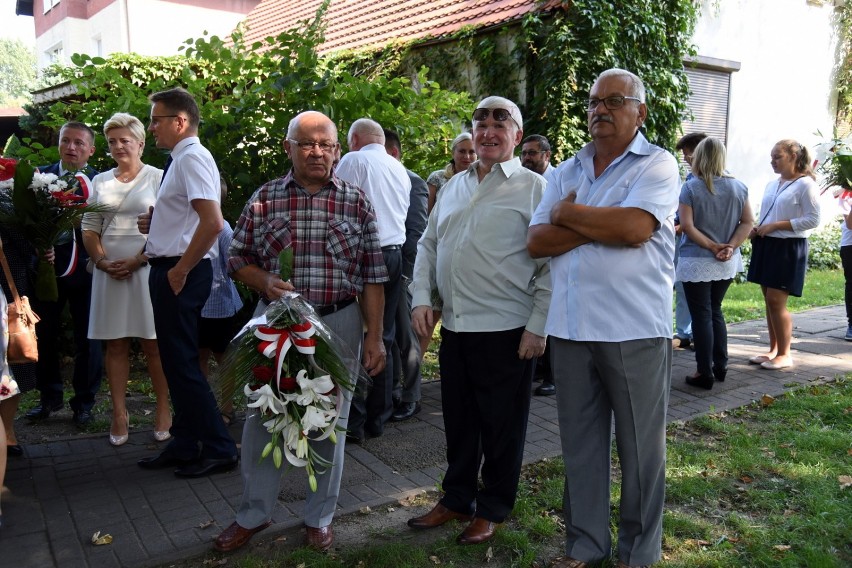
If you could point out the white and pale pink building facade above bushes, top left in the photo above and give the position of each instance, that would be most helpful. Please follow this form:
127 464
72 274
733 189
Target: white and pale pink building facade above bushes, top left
147 27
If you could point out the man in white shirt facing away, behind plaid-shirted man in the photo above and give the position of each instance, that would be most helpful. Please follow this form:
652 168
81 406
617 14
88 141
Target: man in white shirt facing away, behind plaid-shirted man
387 185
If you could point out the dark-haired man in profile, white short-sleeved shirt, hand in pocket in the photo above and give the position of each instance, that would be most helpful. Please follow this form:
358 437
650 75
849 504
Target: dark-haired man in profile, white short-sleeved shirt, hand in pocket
186 223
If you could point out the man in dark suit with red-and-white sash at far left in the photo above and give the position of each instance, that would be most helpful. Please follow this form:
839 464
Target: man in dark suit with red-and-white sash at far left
76 146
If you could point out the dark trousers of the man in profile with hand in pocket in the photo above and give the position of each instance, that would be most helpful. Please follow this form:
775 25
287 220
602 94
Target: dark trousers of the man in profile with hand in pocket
197 419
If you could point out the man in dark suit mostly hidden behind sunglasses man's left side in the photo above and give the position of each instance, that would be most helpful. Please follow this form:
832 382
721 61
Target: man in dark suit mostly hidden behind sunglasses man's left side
406 348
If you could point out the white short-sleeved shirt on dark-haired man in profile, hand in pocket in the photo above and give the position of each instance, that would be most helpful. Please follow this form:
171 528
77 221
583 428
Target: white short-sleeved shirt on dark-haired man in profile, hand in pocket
192 175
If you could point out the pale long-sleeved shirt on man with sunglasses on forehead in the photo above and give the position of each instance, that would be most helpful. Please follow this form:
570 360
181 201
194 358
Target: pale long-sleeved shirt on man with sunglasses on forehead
474 252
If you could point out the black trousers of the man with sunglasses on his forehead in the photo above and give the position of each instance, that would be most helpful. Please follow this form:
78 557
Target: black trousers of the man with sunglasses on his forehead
485 397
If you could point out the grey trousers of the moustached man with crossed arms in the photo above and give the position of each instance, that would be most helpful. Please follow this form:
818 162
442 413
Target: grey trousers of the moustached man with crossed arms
594 381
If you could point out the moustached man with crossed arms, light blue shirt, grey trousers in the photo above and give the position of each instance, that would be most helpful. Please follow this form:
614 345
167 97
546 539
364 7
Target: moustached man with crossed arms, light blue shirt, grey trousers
607 224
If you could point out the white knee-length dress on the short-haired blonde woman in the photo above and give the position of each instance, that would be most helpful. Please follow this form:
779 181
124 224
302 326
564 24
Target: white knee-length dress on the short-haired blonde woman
122 308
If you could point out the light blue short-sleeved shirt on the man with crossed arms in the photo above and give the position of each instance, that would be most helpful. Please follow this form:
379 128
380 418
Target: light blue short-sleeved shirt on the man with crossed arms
615 293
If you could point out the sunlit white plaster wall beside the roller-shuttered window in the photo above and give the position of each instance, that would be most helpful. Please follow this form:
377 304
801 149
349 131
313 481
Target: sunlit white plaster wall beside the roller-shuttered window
784 88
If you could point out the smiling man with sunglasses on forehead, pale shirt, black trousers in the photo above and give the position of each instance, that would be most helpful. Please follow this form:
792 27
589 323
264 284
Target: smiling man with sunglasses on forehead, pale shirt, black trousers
495 300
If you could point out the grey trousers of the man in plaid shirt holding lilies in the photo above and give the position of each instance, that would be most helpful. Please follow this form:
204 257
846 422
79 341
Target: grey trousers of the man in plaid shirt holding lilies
262 480
